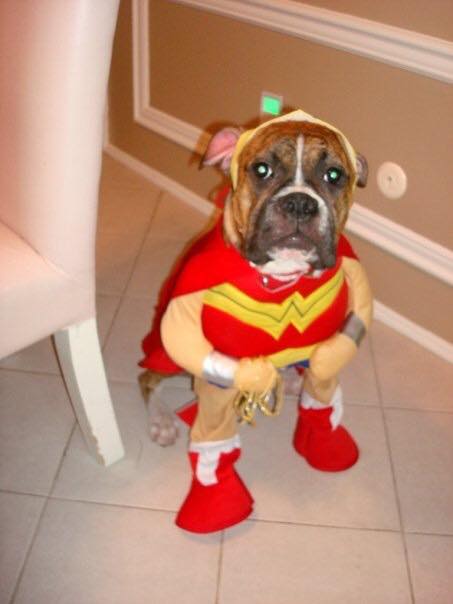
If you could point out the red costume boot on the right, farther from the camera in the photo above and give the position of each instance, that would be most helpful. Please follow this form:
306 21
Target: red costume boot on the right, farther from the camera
320 439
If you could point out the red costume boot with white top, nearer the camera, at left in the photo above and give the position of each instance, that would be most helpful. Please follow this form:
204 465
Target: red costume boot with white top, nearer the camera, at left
217 497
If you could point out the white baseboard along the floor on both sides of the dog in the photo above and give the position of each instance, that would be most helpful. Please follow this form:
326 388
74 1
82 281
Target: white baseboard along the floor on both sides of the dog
383 313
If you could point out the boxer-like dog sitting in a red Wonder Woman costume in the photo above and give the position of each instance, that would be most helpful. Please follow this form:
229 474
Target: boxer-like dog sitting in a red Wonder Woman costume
273 285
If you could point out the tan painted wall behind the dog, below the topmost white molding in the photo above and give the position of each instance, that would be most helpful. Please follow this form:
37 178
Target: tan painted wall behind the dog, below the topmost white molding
208 69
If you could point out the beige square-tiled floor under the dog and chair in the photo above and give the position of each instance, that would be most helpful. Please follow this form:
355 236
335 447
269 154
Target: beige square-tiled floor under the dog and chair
73 532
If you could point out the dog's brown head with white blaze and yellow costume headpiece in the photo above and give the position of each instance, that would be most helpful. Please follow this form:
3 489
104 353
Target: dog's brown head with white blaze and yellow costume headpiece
293 179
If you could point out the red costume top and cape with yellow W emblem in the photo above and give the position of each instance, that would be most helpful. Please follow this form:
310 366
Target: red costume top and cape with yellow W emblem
242 316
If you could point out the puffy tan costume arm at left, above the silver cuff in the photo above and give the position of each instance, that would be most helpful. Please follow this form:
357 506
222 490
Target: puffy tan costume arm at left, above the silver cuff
182 332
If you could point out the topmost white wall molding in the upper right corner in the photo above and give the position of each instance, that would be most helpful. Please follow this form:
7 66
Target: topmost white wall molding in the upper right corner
423 54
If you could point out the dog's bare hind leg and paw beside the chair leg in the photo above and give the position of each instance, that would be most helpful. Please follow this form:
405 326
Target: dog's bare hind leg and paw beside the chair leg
162 423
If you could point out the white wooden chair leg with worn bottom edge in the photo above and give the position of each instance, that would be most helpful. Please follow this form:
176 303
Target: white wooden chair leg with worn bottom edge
82 364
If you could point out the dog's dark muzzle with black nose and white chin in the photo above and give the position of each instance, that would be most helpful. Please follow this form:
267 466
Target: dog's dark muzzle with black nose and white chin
293 227
